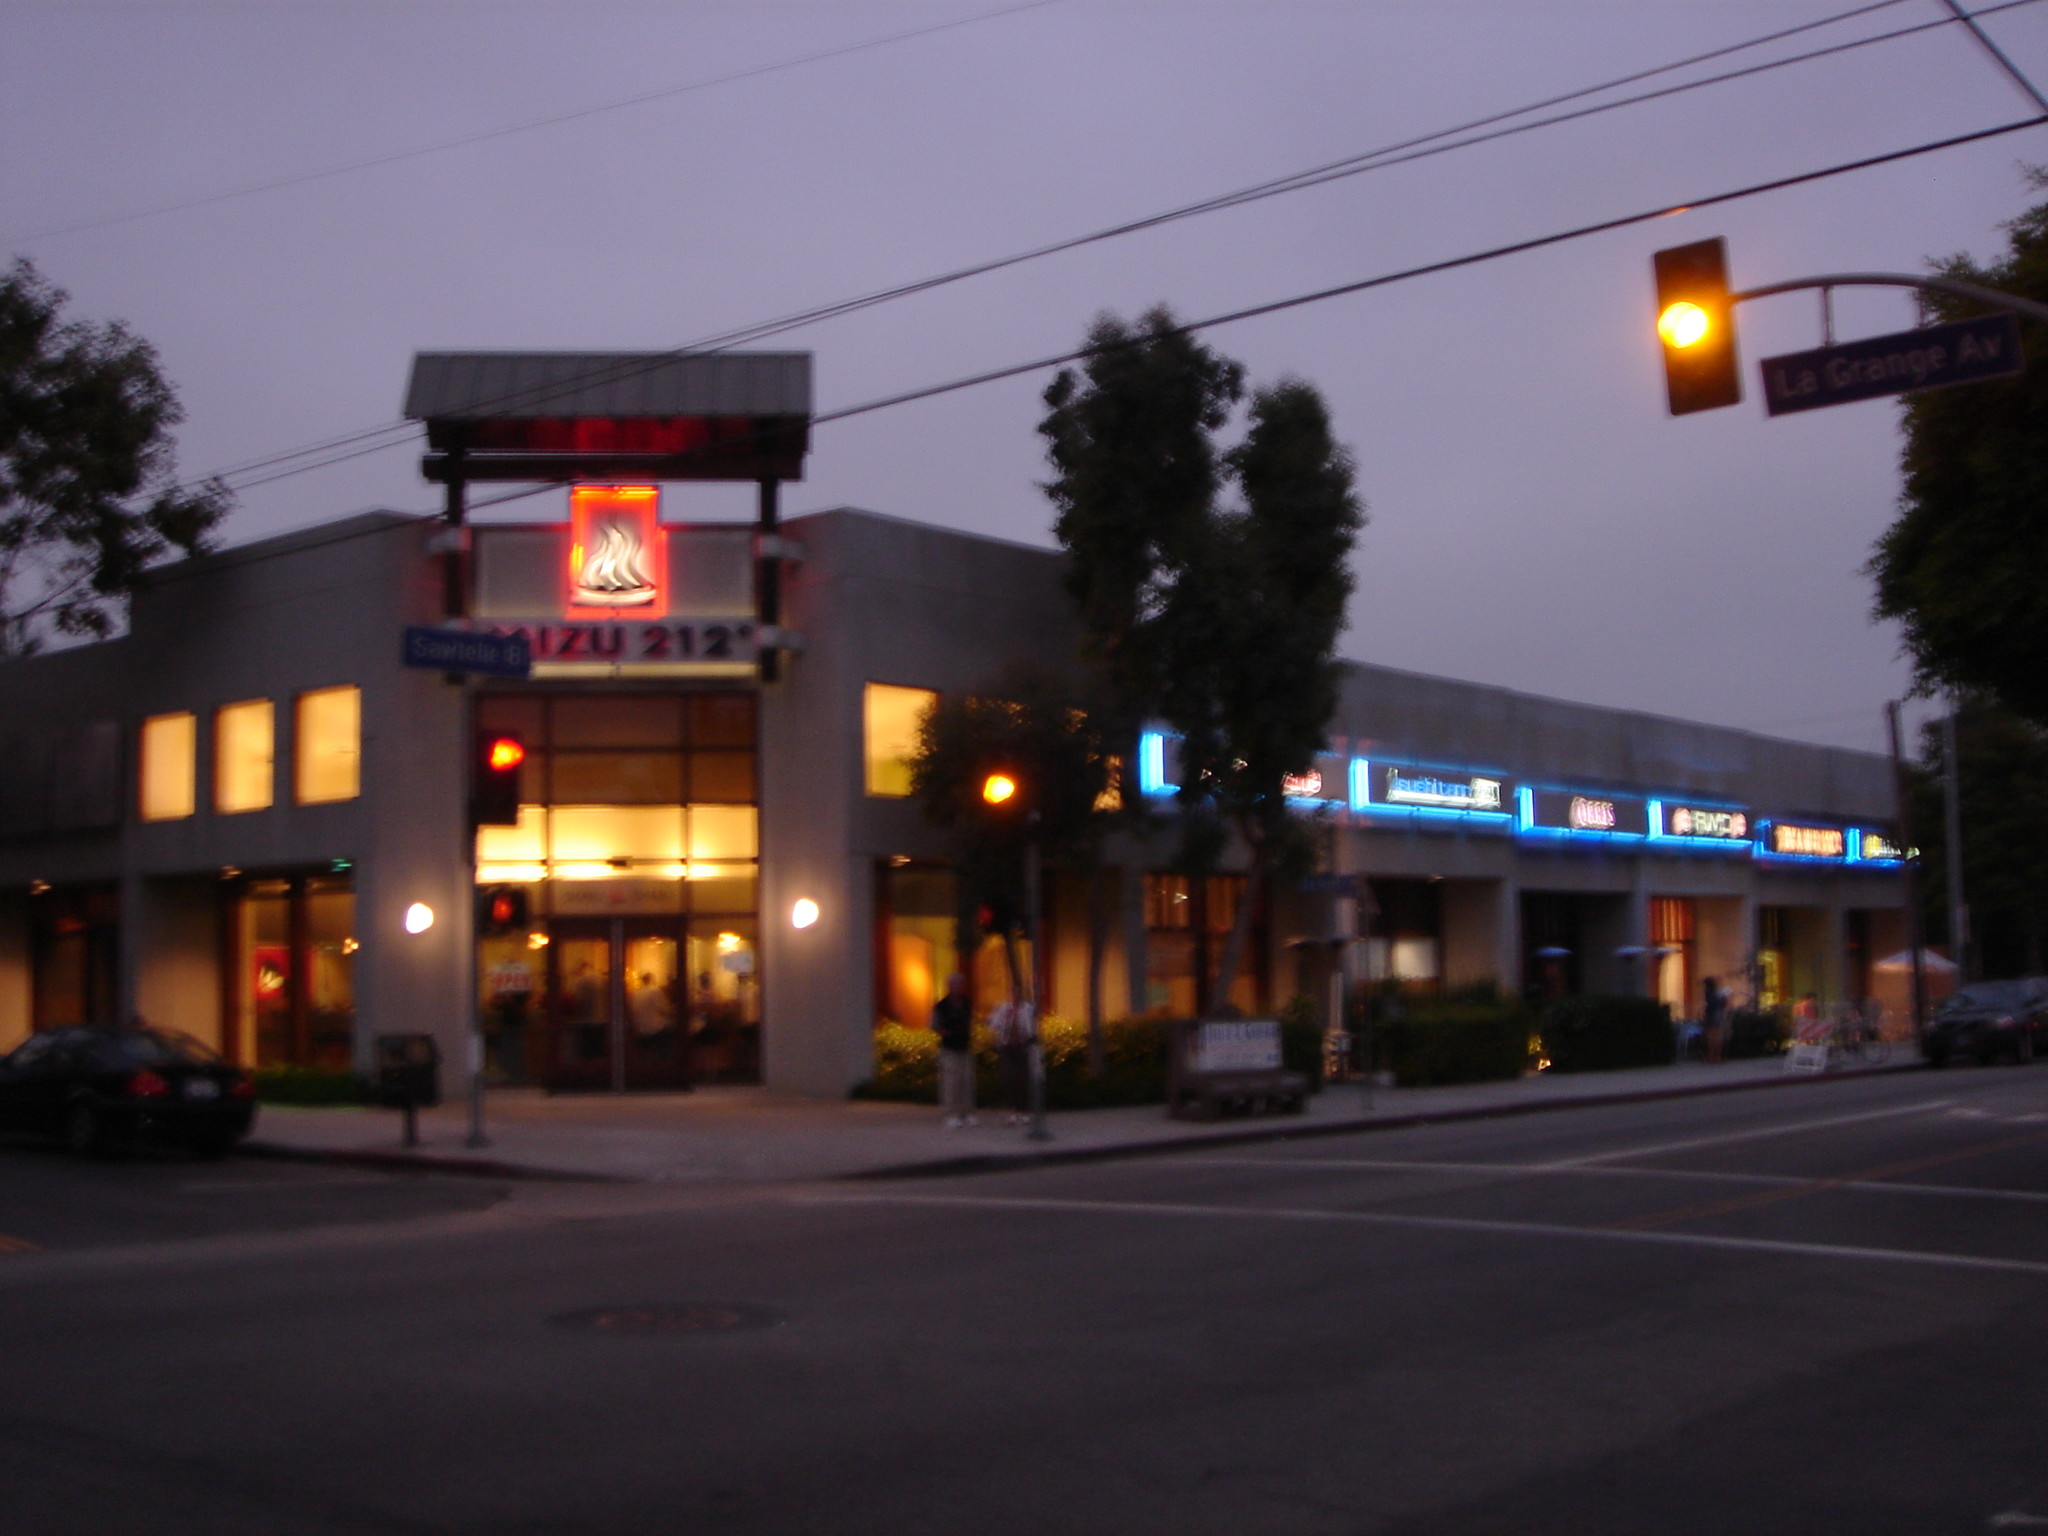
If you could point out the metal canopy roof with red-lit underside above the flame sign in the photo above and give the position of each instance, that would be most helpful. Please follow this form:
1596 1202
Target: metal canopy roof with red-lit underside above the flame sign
613 415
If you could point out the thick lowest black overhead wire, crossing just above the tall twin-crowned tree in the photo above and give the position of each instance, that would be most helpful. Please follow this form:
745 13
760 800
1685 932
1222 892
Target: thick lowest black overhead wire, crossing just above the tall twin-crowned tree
1404 275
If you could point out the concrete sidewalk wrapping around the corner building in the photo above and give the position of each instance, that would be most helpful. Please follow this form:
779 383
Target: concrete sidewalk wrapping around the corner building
751 1136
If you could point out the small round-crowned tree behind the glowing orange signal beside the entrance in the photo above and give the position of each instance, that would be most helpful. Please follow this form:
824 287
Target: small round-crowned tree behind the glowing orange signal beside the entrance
1031 728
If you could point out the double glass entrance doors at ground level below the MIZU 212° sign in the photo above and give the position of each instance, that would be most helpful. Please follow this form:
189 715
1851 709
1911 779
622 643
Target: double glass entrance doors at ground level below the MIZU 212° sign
615 1019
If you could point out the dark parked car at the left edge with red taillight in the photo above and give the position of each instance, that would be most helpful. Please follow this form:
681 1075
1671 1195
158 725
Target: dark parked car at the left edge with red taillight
93 1086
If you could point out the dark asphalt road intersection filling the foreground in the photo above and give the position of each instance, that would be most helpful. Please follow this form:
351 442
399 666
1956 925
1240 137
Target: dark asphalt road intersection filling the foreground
1785 1312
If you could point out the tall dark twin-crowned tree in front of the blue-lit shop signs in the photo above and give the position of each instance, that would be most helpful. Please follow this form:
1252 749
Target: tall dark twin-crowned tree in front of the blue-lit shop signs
1220 622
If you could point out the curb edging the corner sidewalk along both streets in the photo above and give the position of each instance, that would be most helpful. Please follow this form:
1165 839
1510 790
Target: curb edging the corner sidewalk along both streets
409 1162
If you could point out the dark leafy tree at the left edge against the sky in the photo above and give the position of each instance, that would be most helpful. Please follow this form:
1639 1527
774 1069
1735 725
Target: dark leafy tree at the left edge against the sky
87 490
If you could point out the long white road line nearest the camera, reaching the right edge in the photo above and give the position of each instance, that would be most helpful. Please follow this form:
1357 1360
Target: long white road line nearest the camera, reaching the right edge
1437 1224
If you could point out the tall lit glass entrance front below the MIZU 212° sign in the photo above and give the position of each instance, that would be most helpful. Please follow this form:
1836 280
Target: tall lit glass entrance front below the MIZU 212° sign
628 957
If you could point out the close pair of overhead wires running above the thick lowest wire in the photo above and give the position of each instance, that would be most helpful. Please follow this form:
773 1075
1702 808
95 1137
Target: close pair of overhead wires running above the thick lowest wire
1474 132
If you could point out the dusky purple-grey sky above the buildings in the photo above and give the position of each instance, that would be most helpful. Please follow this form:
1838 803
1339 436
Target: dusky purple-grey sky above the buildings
1537 519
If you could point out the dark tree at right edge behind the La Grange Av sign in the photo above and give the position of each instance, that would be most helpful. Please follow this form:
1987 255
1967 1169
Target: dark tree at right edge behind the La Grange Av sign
1961 568
